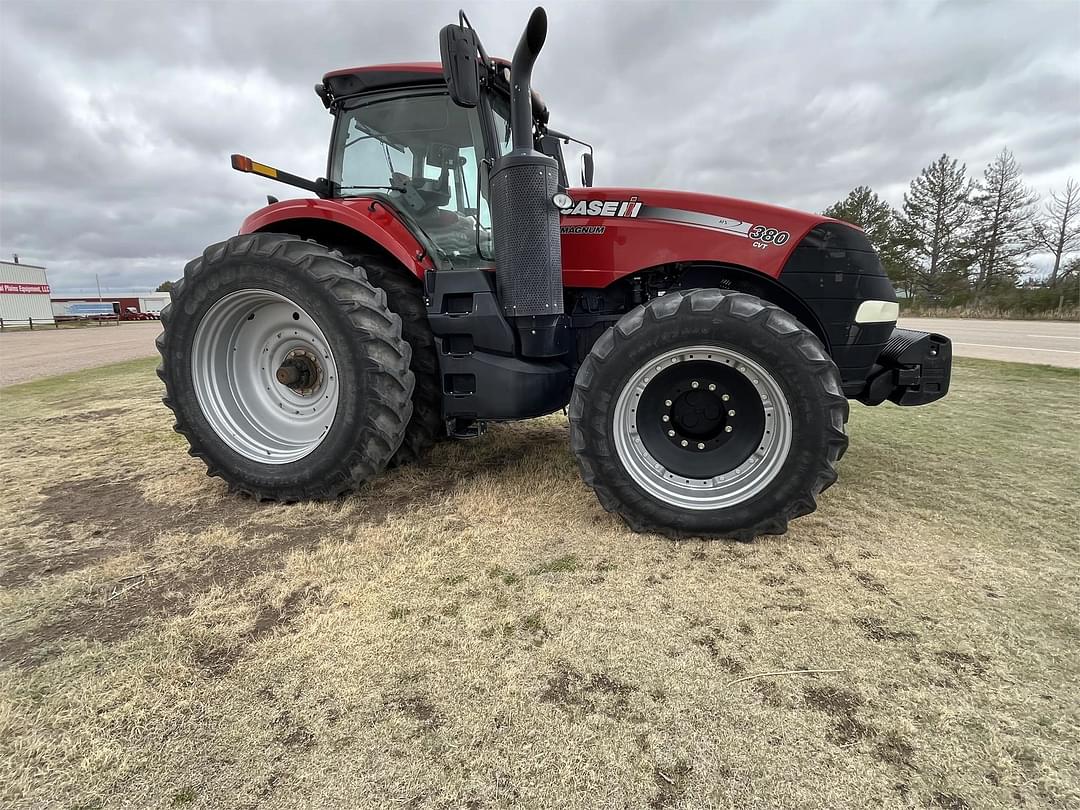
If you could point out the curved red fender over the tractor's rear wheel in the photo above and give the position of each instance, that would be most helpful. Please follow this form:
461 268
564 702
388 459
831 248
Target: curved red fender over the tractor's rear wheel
358 222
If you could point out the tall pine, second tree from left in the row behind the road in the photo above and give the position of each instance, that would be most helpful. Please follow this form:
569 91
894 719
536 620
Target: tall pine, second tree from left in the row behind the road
935 226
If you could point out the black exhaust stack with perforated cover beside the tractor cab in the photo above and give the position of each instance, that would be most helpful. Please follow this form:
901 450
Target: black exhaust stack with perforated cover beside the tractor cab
528 251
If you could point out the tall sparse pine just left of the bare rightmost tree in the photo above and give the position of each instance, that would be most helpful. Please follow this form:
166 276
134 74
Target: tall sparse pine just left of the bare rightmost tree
1003 224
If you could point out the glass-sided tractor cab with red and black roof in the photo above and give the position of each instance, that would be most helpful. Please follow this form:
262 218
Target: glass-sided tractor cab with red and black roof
401 137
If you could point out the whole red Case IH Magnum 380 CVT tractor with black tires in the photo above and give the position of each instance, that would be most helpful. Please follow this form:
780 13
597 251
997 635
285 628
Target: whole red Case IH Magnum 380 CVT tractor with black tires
447 277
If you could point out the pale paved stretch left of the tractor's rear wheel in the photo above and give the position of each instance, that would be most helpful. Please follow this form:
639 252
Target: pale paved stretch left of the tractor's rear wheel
28 356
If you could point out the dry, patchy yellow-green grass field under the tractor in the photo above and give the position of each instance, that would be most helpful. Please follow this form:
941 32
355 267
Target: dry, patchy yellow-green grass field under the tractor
479 633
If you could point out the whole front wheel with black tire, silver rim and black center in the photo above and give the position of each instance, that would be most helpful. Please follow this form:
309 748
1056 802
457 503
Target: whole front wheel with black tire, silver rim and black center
659 445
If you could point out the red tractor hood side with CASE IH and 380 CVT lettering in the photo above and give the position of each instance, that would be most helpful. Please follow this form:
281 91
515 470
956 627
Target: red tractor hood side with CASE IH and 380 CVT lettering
630 229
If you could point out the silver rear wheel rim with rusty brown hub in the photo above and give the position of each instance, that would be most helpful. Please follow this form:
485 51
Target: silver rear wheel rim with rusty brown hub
240 349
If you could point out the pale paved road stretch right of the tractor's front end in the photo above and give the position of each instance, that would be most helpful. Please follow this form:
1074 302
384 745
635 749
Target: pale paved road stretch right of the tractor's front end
1050 343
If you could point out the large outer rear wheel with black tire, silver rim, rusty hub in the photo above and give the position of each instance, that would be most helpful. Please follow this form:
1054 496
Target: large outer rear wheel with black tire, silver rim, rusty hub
267 320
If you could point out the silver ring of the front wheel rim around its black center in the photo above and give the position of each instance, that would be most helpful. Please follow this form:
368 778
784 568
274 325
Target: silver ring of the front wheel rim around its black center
721 492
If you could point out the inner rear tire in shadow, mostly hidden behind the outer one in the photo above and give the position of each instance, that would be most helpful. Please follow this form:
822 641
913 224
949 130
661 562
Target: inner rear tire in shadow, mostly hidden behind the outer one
406 299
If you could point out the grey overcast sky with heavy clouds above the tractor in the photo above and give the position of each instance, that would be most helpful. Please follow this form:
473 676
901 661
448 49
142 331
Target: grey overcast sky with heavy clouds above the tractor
119 118
